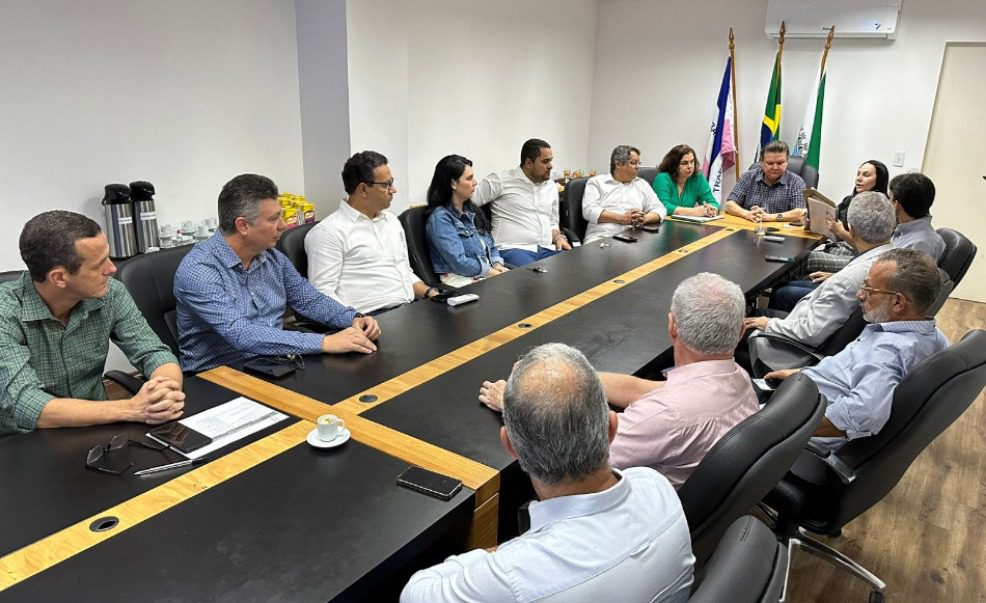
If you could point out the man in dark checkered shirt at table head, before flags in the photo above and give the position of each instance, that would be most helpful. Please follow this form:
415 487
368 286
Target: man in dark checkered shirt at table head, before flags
769 193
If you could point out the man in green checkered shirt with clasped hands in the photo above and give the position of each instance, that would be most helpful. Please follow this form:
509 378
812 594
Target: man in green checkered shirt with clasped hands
55 325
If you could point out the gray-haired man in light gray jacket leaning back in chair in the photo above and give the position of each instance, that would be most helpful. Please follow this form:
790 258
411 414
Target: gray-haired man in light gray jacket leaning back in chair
820 314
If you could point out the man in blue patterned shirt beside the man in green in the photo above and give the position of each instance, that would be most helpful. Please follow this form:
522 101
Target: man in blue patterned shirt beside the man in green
232 289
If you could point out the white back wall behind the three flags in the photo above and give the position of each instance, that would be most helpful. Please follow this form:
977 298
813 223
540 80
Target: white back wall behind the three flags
658 68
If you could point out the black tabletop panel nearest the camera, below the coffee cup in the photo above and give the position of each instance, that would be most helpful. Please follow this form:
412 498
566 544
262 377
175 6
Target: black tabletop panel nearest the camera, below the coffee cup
303 526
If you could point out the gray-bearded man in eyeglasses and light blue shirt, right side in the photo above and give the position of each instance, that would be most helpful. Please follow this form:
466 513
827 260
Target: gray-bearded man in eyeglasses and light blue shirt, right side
859 382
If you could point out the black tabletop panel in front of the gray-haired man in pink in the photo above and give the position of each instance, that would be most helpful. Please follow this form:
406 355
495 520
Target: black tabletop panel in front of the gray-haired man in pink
620 332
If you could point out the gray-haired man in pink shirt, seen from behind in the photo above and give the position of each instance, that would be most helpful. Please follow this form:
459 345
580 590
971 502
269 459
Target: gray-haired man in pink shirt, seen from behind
670 425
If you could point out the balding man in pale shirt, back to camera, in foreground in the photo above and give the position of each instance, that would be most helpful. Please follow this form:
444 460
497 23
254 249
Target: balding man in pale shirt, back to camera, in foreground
595 531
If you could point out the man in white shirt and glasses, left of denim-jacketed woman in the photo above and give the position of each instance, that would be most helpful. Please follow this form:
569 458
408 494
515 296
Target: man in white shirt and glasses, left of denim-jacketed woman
358 255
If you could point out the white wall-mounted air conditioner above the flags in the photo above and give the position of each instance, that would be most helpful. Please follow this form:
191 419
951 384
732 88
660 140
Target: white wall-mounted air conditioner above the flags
851 18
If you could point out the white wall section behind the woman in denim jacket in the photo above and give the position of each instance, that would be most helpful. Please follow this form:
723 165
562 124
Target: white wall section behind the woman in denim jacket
433 77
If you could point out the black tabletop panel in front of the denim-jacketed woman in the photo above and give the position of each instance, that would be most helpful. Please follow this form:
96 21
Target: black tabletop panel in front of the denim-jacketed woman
422 331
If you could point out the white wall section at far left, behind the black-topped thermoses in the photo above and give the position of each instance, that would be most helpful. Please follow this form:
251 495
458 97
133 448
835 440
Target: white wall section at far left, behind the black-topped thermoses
184 93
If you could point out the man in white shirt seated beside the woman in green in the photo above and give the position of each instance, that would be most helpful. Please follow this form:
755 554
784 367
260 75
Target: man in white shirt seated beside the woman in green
615 201
